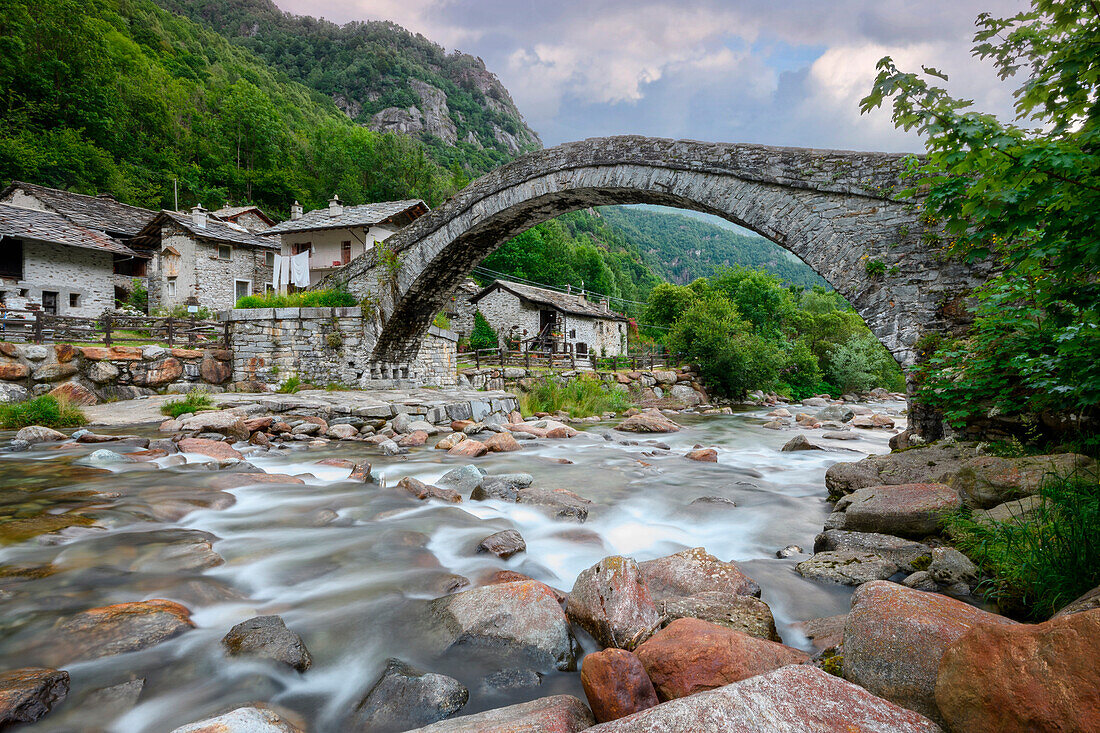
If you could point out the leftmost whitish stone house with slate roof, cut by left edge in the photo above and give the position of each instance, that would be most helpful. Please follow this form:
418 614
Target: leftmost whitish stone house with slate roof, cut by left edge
49 262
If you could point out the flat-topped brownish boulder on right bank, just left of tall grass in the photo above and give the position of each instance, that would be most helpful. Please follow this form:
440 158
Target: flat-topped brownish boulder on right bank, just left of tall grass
911 510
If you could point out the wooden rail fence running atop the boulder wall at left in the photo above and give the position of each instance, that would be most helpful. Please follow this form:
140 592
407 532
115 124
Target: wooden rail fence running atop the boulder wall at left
40 327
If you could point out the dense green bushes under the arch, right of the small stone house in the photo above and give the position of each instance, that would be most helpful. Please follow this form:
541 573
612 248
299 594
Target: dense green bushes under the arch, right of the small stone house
749 331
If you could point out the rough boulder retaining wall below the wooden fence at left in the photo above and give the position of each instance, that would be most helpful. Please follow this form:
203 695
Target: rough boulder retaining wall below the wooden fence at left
87 376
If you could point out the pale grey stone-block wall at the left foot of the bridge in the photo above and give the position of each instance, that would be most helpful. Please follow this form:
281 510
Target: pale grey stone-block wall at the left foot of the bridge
329 346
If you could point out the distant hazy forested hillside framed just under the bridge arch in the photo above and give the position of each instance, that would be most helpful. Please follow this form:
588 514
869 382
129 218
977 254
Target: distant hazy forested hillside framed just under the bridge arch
683 249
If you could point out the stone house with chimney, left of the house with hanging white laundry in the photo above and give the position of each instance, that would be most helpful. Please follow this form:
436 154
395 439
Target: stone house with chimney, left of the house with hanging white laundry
202 258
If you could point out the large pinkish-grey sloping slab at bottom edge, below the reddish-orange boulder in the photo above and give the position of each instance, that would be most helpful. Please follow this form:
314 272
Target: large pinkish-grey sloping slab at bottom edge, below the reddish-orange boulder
794 699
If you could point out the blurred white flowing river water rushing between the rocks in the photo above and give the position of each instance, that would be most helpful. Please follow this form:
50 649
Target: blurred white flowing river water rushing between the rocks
349 566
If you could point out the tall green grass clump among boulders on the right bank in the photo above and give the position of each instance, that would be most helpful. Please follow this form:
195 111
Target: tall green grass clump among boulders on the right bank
1040 563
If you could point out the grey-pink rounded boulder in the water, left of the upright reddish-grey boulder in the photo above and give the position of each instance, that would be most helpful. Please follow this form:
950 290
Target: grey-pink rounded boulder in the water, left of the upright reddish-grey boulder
522 618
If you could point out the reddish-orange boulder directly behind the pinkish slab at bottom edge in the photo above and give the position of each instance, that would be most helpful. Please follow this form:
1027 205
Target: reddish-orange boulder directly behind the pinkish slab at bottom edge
691 655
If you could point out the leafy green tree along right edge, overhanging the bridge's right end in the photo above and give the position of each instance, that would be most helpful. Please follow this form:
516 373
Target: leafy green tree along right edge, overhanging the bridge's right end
1028 199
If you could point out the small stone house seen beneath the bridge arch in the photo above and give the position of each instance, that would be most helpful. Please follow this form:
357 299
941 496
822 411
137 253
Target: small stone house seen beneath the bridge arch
543 320
